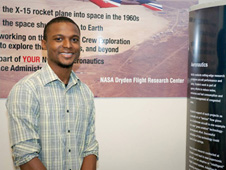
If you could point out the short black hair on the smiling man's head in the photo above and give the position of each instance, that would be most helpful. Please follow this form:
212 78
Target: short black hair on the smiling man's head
57 20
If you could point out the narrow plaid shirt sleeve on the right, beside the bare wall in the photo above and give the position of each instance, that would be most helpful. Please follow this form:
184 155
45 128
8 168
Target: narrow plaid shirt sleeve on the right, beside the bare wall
91 144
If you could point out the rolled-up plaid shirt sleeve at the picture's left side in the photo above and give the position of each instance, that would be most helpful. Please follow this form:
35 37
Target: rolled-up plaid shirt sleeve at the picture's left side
22 107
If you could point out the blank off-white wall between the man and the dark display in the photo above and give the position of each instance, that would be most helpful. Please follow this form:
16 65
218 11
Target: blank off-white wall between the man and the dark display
141 133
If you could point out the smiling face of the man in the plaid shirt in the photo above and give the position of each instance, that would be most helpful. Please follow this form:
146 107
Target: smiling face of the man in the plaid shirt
62 44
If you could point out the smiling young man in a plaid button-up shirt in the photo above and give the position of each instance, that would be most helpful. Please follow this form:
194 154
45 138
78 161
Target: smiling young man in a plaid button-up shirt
51 112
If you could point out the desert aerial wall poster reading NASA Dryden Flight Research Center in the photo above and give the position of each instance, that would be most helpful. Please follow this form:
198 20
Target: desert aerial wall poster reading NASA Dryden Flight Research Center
129 48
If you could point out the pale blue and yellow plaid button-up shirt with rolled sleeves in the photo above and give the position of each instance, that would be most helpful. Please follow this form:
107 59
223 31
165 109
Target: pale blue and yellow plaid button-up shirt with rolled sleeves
51 121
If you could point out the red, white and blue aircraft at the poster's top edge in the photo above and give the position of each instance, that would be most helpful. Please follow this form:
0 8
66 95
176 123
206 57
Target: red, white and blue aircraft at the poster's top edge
116 3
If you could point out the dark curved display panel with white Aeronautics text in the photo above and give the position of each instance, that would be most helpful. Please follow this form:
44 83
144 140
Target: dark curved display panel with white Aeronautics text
206 134
